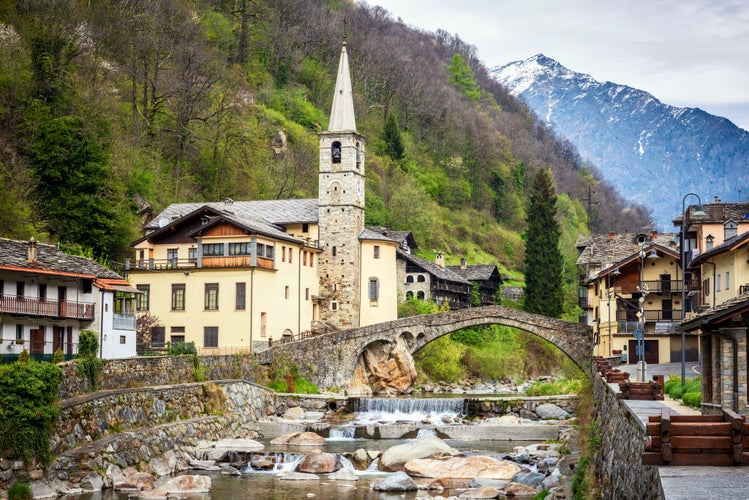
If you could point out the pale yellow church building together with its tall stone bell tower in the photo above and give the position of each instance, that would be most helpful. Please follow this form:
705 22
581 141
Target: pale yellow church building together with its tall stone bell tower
236 275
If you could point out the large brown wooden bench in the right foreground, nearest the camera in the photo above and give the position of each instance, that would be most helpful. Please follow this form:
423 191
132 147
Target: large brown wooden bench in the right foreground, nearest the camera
697 439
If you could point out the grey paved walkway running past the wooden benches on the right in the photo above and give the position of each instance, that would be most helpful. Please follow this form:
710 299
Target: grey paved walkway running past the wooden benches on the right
688 482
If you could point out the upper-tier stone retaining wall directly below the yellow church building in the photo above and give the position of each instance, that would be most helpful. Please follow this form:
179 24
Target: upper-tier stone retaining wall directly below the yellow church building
160 370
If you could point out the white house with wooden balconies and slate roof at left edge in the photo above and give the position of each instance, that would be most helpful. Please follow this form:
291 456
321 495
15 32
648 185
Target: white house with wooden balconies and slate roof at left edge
47 297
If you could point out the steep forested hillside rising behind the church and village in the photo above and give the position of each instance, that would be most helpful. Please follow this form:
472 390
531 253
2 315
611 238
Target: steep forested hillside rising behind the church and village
107 106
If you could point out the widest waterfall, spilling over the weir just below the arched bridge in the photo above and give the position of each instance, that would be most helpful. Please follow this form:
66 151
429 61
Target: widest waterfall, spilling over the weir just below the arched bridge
435 411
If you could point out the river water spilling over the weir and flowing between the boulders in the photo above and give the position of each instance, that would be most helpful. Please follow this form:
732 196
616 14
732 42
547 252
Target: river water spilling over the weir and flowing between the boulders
422 413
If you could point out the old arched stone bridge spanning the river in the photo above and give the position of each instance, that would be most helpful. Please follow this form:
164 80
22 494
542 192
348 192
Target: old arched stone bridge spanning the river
330 359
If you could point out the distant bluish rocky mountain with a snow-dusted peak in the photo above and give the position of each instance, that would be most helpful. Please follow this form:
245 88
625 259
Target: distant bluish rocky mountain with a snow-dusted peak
651 152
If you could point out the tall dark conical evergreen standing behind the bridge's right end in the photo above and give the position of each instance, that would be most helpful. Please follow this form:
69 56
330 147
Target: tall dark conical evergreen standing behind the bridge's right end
543 261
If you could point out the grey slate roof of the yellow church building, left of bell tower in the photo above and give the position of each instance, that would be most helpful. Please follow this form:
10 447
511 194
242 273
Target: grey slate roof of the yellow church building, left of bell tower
272 211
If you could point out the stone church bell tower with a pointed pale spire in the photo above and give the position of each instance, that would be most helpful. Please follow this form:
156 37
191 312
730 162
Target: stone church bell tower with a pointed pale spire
341 207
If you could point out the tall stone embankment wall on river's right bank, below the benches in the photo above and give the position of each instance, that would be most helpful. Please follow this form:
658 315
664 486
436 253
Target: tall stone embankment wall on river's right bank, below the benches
618 462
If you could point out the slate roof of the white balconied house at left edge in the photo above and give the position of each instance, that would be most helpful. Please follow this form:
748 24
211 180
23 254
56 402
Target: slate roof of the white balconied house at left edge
14 256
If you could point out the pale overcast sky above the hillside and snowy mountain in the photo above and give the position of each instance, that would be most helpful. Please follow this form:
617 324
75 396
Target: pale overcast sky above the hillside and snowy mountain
687 53
